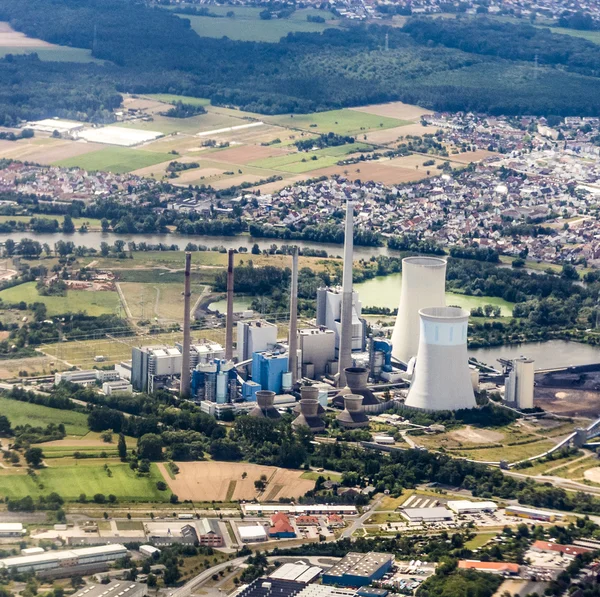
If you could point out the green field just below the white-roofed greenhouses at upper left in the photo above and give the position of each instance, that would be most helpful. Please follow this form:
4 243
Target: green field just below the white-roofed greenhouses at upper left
115 159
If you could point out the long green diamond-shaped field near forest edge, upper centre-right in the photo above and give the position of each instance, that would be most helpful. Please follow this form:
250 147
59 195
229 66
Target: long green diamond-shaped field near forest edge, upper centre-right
342 122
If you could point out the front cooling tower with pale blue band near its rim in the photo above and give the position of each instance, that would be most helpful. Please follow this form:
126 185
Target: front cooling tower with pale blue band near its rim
442 380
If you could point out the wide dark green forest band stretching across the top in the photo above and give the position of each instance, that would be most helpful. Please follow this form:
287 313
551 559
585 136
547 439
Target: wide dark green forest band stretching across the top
442 65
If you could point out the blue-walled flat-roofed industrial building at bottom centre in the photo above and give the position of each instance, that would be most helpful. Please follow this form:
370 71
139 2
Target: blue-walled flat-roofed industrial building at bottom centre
358 569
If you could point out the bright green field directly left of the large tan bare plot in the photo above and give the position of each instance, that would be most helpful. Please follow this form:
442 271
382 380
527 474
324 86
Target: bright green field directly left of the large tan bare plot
71 481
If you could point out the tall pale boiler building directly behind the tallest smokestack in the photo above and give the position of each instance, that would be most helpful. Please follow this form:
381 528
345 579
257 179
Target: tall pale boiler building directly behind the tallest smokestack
329 315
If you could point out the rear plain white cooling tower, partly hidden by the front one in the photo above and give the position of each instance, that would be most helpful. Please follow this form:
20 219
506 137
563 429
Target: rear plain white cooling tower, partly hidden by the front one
423 285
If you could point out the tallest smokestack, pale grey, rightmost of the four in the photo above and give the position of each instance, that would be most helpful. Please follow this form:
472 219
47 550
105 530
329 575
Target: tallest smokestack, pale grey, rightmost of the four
345 347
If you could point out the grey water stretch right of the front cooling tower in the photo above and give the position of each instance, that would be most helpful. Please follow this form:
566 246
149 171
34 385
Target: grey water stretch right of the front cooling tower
547 355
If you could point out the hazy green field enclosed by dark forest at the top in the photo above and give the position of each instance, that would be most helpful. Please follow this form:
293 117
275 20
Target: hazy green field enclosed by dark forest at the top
246 25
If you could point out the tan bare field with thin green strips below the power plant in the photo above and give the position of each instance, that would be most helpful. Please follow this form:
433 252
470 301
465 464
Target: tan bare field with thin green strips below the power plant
206 481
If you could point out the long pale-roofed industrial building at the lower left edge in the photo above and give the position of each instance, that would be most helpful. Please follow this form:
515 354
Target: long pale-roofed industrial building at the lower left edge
65 561
